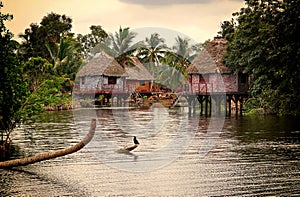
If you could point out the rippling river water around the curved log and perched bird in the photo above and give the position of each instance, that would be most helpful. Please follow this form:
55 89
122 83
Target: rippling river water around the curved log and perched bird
182 156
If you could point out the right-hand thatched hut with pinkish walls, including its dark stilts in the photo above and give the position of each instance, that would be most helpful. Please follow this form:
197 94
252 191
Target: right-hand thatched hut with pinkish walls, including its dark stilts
210 79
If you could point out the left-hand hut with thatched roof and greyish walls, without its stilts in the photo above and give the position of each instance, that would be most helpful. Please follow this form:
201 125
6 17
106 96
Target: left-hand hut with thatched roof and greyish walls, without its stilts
102 74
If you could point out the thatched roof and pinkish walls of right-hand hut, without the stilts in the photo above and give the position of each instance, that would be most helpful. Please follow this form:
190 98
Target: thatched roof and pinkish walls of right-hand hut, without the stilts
209 75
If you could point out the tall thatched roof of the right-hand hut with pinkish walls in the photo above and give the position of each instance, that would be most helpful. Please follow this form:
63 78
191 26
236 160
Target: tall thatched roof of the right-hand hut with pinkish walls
209 60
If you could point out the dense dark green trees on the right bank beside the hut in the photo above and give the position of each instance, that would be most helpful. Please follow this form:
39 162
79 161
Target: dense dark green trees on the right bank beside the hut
264 43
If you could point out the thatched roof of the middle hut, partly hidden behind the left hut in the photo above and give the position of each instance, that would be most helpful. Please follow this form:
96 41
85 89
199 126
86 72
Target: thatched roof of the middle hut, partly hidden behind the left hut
138 72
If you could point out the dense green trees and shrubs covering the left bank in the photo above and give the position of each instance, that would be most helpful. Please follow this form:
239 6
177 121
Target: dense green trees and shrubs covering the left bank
36 74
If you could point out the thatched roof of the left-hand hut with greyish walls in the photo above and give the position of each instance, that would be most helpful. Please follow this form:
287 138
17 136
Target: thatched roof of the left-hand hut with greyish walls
102 65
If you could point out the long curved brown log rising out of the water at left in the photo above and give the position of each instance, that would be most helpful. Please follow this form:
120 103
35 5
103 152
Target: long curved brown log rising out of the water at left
52 154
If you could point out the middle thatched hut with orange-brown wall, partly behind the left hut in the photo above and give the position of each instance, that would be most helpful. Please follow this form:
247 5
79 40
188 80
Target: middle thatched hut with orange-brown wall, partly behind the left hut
138 77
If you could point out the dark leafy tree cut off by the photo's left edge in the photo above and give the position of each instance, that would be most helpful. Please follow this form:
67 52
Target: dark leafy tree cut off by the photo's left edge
12 87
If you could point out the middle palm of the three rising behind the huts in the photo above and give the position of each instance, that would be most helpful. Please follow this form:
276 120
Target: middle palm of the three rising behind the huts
153 52
